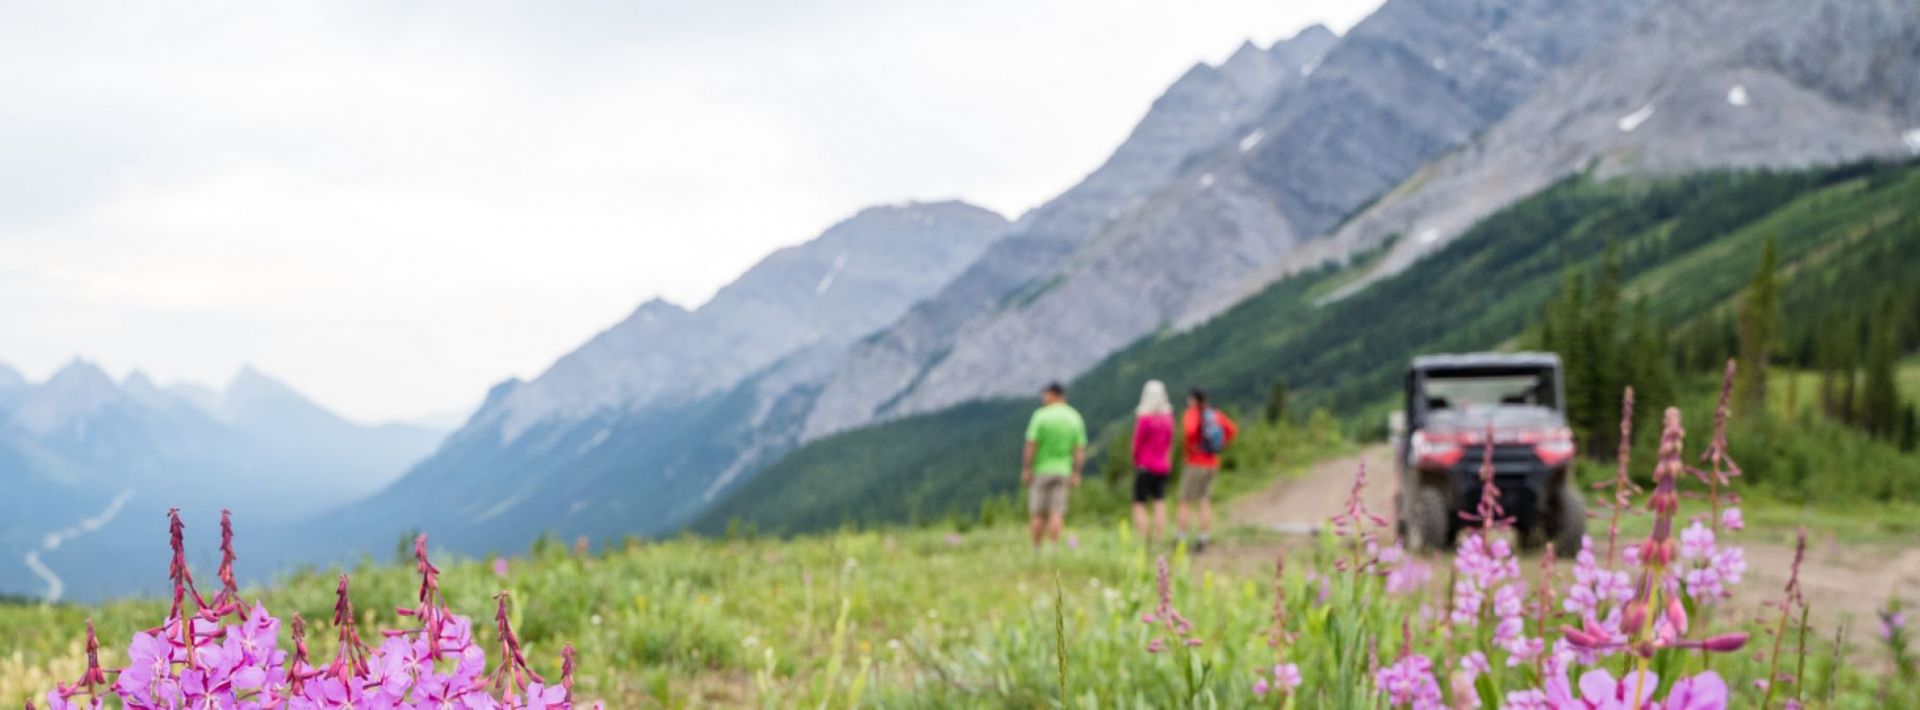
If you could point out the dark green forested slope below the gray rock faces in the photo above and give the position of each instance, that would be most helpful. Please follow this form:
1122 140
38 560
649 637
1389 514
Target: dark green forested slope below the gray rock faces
1685 245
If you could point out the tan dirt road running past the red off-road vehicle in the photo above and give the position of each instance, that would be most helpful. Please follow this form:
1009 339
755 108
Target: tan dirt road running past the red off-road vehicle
1838 580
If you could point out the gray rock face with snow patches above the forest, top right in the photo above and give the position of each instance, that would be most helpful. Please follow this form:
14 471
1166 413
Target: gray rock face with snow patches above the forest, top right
1696 85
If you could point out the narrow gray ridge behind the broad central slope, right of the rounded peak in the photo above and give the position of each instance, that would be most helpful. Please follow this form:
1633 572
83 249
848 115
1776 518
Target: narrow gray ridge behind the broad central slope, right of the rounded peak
1203 108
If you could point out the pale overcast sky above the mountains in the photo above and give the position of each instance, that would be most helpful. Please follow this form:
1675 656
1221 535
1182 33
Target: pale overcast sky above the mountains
396 204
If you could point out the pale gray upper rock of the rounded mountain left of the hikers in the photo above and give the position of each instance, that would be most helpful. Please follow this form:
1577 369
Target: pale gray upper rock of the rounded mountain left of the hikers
852 281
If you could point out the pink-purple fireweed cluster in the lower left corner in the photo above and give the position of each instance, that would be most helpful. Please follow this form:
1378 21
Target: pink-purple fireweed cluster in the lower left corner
212 655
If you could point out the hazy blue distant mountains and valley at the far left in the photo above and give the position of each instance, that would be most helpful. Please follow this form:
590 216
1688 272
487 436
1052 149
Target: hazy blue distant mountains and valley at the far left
93 463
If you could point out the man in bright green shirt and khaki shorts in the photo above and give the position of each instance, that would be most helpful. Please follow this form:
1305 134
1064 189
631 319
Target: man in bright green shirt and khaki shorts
1051 461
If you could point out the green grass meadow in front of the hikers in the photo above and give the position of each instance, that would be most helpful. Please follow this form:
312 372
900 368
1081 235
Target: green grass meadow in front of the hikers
886 619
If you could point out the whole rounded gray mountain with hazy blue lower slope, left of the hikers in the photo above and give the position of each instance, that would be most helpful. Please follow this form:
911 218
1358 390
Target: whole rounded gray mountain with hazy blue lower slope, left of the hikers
646 421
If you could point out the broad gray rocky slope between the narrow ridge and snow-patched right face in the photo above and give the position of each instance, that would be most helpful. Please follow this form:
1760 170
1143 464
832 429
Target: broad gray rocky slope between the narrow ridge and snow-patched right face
1412 82
